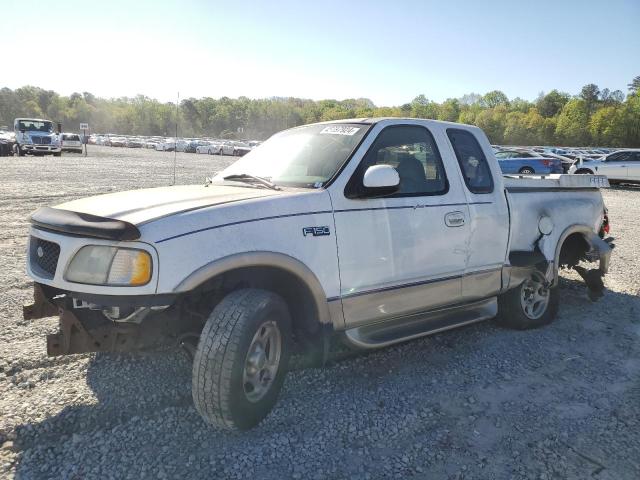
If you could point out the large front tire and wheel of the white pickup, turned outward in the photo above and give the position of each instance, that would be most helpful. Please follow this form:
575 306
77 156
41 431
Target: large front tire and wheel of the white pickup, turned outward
241 359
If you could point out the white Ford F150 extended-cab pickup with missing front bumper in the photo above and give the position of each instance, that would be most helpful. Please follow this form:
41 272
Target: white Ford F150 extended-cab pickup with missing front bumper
375 230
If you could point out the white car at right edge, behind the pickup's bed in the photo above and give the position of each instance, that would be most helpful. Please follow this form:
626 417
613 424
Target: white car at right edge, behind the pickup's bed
622 166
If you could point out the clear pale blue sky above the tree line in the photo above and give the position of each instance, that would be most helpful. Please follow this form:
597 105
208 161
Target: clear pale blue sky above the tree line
388 51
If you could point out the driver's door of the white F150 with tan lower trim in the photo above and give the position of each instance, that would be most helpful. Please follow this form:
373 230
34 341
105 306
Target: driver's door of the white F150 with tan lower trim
403 253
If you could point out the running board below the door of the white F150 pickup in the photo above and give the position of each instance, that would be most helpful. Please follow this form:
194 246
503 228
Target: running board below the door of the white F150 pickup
421 324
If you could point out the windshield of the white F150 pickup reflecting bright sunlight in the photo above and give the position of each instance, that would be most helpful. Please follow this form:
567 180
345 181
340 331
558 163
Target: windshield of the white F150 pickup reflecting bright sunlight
301 157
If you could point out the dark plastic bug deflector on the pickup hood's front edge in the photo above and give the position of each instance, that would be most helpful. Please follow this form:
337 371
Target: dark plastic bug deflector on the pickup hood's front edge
83 224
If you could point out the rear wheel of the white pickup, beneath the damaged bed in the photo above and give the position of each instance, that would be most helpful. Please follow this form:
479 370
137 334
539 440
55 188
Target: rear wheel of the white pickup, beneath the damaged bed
530 305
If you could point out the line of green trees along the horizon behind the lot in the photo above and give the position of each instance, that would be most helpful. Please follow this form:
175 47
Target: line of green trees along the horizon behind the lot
596 117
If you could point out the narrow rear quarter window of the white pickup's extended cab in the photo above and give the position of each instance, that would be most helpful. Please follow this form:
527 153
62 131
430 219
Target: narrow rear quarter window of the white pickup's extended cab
473 163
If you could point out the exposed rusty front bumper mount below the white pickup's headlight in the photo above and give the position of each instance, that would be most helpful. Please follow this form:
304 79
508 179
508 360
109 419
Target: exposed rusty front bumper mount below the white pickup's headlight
90 327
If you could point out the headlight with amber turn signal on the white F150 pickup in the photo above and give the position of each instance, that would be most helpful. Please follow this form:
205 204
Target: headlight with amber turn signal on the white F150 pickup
101 265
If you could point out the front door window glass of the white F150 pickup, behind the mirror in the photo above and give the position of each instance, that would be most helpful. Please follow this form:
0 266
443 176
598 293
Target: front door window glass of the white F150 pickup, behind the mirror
412 151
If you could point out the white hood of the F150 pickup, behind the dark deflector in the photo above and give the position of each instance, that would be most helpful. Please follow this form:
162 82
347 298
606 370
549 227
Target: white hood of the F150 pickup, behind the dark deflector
145 205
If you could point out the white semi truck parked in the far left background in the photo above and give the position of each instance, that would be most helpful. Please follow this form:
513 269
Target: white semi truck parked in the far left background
36 136
